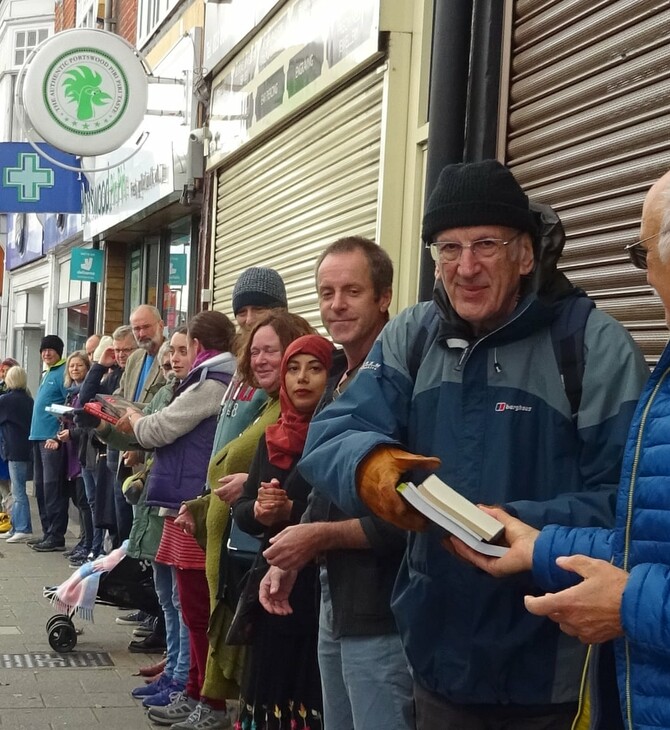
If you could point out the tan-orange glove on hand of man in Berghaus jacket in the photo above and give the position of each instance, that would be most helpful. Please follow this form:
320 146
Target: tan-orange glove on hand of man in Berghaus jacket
378 476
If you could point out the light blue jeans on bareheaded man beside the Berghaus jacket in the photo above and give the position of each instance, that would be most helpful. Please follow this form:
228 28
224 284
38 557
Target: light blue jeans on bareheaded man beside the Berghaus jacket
365 680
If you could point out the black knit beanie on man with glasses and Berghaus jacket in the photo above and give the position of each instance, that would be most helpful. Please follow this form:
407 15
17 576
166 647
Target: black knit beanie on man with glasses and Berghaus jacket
476 194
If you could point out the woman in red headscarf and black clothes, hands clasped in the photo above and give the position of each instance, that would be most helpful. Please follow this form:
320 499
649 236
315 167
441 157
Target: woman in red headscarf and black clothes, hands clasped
281 688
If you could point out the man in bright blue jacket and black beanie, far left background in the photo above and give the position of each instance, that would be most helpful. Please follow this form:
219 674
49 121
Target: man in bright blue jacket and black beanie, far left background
52 499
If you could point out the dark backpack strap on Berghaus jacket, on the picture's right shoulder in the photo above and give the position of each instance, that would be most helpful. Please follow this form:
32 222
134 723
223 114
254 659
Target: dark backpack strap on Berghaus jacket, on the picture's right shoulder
567 337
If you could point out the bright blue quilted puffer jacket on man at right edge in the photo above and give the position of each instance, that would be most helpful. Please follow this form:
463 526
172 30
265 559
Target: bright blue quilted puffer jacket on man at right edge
640 544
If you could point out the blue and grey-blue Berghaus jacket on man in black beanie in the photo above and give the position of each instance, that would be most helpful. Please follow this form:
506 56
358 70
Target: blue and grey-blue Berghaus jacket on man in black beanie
495 411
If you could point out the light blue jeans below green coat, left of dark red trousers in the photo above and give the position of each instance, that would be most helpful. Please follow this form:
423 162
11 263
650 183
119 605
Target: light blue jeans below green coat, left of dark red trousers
176 632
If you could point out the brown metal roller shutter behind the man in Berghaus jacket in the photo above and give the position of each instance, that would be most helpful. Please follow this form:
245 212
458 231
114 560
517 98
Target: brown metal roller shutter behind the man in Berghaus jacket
587 132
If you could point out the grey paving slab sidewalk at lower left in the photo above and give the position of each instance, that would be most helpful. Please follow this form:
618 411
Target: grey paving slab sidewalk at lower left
50 697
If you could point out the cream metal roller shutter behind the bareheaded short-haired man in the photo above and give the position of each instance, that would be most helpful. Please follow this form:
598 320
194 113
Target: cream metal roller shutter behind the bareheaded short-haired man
312 183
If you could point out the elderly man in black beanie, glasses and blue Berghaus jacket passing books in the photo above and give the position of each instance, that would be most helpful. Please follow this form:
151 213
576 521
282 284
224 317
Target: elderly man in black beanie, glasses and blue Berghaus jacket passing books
477 385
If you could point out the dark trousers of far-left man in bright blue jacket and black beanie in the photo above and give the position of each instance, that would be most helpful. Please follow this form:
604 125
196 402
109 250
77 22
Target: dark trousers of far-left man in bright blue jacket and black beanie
50 491
